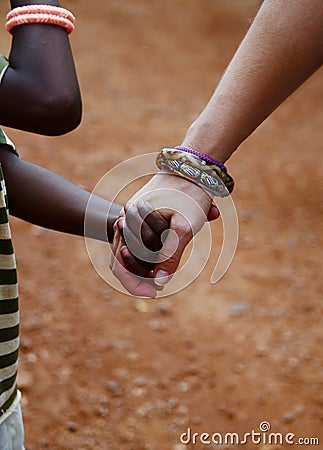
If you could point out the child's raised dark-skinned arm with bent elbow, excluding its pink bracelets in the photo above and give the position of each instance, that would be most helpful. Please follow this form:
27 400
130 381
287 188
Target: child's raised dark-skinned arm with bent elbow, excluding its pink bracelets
39 91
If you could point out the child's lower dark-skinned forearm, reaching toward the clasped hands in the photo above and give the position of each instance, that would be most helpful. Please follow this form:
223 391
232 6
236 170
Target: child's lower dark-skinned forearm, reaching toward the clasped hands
44 198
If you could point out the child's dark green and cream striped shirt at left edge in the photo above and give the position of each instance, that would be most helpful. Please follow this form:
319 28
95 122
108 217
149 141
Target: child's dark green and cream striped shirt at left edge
9 310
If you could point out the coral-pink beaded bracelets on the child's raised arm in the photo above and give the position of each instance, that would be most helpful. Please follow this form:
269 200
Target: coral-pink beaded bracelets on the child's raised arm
53 15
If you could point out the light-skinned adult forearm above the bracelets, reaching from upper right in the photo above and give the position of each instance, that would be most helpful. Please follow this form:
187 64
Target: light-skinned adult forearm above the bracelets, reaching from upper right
282 48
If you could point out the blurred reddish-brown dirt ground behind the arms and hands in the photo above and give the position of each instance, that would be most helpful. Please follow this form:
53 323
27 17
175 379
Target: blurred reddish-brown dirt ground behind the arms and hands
101 370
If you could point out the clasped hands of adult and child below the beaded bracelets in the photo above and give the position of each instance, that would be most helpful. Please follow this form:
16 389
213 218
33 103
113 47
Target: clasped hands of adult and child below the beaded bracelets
184 205
